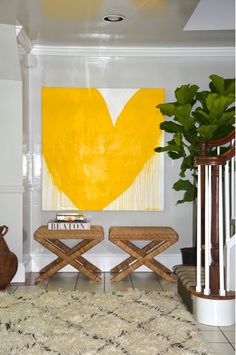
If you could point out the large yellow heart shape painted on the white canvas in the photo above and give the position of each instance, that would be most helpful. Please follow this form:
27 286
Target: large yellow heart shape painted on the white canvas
90 160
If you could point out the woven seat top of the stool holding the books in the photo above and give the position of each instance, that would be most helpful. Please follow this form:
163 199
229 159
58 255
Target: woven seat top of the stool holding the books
95 232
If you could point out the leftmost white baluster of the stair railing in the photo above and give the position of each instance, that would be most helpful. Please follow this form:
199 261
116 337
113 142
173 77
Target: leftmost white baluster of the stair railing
199 281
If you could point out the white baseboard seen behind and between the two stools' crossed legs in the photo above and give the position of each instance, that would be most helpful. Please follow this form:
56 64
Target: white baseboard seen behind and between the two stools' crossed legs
105 262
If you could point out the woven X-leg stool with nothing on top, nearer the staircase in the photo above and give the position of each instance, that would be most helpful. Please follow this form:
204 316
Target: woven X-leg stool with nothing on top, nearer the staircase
160 239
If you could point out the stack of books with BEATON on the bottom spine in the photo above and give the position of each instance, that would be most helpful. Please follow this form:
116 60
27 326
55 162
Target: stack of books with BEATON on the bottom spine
69 221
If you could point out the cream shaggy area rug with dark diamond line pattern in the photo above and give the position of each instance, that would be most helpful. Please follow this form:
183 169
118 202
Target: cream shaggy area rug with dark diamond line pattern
87 323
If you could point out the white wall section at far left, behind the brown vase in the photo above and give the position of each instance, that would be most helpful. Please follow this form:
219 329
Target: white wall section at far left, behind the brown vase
11 189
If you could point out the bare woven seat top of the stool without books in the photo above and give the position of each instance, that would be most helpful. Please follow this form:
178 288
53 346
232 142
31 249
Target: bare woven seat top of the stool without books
143 233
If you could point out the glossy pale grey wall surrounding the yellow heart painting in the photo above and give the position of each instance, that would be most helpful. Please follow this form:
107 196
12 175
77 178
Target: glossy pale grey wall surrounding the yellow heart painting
118 72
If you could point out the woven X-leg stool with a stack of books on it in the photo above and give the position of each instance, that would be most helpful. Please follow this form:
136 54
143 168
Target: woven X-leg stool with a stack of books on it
50 239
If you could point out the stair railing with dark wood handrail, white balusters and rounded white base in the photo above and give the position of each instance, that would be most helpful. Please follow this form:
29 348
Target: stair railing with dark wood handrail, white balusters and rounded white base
214 296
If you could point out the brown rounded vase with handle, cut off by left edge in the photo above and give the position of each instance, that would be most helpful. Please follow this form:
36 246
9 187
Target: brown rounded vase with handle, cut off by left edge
8 261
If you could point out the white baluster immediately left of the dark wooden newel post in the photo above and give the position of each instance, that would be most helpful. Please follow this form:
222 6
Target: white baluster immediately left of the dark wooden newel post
207 228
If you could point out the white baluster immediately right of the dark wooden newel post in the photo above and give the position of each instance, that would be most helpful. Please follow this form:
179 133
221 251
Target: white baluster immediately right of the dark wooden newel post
221 241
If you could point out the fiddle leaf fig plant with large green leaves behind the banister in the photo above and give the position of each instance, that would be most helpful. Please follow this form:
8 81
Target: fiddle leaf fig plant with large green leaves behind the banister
196 116
